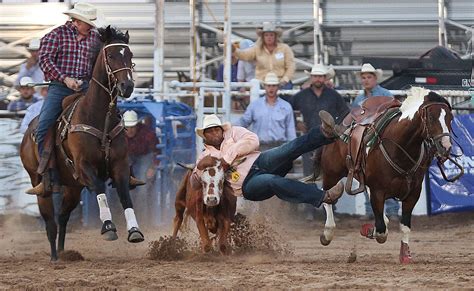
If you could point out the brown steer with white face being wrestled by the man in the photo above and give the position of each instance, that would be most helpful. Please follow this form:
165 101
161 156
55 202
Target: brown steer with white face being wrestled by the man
212 205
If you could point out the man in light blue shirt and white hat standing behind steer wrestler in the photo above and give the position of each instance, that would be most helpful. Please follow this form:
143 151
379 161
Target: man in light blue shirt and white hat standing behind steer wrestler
271 117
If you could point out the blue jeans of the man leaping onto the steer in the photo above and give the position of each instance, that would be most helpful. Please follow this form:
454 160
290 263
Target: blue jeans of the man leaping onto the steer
266 176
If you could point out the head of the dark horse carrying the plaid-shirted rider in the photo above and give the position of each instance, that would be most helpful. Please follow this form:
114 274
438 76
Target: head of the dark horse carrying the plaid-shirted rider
117 59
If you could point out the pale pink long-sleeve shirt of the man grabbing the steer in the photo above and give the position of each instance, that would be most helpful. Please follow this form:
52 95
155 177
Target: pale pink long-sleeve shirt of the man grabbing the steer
239 149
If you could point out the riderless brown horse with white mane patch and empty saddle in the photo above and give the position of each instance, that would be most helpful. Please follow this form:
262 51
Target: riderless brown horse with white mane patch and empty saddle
396 164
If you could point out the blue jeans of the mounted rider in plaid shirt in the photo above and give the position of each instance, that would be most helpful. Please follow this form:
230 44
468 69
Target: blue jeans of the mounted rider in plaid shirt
51 109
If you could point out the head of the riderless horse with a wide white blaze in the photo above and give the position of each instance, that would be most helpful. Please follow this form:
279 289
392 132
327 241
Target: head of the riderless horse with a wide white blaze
437 116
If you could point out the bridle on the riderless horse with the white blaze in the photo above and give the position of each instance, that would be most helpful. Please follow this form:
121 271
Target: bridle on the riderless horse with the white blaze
433 142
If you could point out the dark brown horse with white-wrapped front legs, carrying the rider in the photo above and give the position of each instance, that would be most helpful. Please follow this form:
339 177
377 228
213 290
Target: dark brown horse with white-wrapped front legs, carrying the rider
90 144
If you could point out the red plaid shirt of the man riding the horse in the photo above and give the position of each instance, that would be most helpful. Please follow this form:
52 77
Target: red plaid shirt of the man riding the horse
61 55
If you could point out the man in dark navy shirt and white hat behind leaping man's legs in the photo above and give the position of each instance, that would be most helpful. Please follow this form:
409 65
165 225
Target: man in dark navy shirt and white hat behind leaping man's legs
313 99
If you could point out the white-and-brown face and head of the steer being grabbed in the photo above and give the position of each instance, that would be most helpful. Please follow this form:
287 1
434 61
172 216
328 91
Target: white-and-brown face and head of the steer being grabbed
212 179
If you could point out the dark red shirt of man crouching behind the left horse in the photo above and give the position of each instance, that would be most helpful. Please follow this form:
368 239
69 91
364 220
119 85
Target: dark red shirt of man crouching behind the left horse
144 142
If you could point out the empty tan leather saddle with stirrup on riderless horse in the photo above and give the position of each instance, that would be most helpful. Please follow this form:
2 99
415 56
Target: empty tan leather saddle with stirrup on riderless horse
365 121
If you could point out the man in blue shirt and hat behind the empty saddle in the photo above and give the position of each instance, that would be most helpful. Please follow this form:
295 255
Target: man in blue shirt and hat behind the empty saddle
369 77
